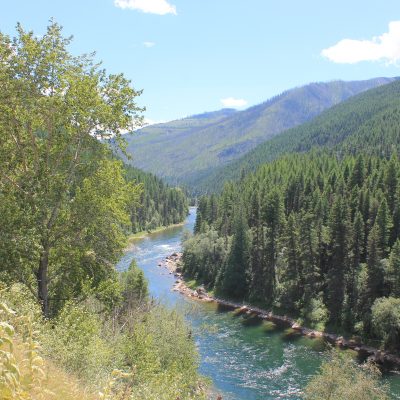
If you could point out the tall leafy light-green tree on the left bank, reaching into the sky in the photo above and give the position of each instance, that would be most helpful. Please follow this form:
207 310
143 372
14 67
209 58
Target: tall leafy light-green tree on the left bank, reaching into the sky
64 200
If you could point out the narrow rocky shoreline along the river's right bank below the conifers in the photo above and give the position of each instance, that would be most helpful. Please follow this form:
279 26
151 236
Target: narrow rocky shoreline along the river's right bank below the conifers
384 359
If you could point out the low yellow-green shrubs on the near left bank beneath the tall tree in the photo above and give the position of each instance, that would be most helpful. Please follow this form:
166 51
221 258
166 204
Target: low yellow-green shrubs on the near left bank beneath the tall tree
137 350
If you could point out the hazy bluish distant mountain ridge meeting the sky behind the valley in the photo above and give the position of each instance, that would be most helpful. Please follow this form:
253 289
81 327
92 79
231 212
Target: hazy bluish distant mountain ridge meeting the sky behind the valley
188 149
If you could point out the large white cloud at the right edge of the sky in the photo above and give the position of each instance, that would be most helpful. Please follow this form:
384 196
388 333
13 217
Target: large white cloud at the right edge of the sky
380 48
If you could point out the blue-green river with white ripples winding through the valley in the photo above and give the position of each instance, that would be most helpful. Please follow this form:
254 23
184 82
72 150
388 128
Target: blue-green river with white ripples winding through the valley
245 359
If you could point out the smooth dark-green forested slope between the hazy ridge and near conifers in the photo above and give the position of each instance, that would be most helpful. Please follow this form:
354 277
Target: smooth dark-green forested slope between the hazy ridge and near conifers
368 122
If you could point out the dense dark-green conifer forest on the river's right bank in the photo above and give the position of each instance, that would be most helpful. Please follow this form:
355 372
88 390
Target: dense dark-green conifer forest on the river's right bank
314 235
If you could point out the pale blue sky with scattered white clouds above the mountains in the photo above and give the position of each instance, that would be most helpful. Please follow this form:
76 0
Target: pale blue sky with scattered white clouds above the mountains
192 56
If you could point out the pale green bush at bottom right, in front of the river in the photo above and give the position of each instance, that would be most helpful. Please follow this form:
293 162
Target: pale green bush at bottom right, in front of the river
342 379
